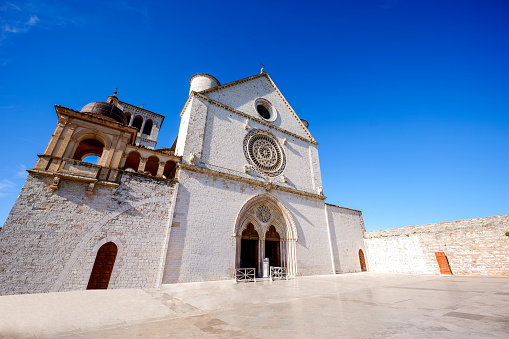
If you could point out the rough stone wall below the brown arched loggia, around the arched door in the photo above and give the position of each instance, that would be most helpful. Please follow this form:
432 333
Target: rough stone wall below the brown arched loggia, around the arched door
50 239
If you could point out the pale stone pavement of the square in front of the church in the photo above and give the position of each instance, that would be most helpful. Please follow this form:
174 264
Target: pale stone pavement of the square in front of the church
358 305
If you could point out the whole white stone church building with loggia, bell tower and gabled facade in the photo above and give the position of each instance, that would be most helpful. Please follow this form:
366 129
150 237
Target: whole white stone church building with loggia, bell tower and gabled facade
241 185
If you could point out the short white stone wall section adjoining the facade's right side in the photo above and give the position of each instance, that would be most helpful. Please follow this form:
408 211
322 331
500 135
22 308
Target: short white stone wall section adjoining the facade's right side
346 229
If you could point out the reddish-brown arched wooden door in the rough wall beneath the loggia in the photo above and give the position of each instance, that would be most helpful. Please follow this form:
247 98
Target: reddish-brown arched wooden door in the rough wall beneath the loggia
103 266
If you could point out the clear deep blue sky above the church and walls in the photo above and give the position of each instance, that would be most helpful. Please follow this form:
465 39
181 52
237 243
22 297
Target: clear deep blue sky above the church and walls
408 99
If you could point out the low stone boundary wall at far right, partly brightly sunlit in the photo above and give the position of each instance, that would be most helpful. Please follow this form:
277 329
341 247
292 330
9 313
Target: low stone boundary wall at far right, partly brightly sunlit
473 247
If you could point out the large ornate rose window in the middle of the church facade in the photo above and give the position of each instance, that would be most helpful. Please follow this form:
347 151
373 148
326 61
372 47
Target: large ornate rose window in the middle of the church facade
263 151
